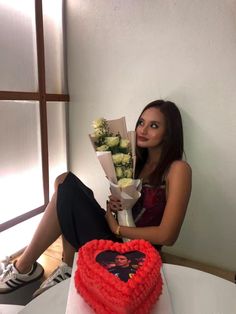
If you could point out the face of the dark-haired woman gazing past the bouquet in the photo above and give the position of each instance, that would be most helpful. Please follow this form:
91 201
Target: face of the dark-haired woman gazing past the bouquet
151 128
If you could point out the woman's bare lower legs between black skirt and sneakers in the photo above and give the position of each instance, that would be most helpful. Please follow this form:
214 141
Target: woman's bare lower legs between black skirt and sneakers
46 233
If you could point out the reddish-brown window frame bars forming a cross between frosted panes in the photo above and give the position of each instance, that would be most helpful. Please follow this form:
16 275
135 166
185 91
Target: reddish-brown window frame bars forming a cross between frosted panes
42 97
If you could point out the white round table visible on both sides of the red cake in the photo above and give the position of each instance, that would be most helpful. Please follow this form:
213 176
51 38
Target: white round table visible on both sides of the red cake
191 292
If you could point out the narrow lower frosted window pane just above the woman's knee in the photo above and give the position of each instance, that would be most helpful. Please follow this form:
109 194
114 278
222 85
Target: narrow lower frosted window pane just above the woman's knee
57 140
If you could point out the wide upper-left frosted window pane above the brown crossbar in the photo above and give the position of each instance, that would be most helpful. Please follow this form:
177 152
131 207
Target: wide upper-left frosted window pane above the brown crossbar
18 57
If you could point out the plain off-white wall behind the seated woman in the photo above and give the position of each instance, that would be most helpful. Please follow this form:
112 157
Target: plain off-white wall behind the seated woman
123 54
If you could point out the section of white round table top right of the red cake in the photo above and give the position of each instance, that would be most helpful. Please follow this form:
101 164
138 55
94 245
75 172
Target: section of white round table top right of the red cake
198 291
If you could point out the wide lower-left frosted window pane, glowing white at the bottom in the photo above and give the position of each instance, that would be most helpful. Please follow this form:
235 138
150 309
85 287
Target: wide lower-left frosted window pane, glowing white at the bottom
20 158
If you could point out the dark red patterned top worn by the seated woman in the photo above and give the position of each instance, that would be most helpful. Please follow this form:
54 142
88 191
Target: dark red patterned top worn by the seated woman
149 209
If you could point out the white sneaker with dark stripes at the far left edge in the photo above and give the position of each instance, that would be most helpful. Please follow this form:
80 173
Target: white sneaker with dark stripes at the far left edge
11 279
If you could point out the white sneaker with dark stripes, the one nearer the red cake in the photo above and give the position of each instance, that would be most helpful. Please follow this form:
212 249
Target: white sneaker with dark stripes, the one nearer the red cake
61 273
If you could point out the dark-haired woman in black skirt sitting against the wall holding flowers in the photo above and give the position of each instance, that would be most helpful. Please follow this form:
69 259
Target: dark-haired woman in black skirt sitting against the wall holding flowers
74 213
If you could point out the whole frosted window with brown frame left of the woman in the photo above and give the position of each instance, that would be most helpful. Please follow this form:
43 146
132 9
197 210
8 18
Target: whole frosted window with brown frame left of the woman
33 106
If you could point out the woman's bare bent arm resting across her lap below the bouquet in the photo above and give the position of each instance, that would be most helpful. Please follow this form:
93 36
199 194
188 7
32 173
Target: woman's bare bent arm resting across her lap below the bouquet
178 193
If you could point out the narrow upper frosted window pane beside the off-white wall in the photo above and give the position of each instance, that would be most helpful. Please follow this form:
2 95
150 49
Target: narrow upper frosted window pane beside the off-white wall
54 46
